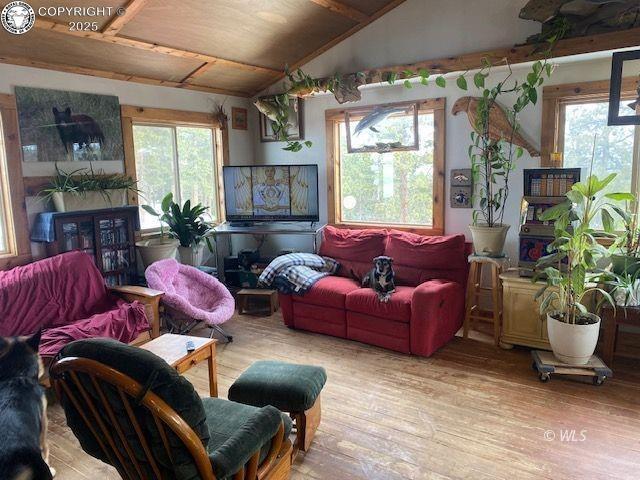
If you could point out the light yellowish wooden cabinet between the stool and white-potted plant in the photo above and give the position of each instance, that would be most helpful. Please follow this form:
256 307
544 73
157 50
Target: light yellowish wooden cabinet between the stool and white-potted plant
522 323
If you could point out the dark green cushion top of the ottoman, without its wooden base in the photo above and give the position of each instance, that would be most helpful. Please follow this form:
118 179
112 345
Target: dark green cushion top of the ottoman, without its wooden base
286 386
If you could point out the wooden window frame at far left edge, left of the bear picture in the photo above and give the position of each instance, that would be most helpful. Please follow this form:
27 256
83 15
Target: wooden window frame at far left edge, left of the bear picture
12 200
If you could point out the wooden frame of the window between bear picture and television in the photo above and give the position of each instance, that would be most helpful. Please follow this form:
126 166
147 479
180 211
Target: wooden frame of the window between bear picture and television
161 117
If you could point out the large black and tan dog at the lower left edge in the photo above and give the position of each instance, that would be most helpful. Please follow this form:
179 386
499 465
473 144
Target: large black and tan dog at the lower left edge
23 411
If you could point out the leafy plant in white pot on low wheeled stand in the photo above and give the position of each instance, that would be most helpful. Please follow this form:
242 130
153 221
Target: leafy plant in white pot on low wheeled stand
571 269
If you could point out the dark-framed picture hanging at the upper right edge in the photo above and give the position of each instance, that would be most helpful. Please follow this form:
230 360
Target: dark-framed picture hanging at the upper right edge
622 111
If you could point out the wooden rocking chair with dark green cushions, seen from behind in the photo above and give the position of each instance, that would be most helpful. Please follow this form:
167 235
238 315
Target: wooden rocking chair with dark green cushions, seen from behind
130 409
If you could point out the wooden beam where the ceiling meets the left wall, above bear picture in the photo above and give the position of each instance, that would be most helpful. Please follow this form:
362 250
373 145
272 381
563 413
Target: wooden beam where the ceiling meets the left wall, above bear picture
25 62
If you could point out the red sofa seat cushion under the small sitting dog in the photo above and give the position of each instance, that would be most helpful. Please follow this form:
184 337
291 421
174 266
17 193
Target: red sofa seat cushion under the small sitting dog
365 300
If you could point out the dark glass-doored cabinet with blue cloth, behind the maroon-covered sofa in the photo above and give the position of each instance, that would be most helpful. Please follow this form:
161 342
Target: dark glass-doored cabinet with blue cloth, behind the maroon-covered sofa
107 235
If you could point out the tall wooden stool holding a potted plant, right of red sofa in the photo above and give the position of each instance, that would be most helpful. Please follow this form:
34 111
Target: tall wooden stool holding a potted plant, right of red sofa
474 290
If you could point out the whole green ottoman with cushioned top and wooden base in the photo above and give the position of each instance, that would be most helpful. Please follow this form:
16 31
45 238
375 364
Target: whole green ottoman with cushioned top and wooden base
288 387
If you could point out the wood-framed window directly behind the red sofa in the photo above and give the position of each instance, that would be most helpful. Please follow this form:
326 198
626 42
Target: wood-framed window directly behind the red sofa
402 189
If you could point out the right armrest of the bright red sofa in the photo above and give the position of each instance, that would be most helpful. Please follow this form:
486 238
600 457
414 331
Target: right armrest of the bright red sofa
437 310
